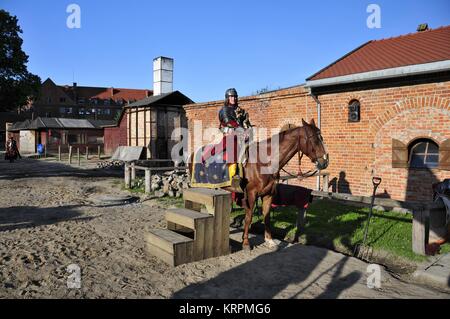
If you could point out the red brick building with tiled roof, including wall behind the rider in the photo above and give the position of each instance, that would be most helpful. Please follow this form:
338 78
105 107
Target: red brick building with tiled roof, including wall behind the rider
384 110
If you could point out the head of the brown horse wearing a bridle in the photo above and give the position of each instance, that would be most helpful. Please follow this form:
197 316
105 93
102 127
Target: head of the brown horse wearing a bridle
313 146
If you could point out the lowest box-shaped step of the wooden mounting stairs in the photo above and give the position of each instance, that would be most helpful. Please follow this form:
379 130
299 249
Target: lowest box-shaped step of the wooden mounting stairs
171 247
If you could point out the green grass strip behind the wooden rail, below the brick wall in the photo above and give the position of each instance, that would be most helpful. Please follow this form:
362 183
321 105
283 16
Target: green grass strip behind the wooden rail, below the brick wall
340 227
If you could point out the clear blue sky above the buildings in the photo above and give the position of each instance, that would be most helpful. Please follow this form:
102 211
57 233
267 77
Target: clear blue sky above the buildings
248 45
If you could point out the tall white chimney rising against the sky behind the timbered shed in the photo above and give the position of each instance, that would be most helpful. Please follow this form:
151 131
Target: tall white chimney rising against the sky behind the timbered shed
162 75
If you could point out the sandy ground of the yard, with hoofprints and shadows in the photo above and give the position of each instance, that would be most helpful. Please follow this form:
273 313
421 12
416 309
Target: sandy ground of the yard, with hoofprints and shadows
48 222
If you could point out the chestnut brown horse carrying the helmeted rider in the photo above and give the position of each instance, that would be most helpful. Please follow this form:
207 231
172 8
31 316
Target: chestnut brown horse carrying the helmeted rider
305 139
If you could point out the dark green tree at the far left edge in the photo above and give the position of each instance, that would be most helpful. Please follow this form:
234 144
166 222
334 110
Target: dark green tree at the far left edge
17 85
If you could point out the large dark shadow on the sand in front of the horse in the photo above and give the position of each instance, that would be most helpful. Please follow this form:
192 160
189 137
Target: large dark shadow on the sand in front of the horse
270 274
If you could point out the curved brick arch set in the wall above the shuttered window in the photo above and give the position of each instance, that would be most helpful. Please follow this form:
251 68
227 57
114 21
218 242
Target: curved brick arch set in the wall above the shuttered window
408 104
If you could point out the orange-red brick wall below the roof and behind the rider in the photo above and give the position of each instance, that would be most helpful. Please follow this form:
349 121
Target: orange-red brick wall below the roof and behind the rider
362 149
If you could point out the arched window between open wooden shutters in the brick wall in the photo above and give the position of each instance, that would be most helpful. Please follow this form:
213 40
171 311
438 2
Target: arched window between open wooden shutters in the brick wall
423 153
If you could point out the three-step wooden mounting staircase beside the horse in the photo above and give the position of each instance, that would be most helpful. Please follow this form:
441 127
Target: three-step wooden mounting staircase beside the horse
198 231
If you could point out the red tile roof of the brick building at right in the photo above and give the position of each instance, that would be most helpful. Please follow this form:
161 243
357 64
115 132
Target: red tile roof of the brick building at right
415 48
